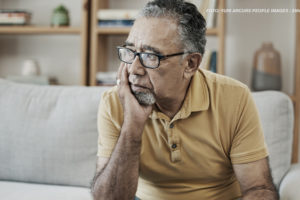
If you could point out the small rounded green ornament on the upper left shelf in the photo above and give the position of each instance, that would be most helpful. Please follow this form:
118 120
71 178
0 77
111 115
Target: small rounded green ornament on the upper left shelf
60 16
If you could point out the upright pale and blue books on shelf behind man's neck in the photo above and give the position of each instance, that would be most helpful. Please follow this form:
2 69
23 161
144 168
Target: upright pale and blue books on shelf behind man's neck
209 61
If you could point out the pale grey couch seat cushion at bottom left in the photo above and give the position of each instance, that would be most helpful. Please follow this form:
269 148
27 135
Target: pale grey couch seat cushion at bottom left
25 191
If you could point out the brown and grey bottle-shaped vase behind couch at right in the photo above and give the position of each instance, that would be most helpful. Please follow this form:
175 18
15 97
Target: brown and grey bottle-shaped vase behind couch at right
266 74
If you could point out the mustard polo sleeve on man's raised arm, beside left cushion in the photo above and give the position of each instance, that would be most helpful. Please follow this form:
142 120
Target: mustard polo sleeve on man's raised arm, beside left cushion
108 125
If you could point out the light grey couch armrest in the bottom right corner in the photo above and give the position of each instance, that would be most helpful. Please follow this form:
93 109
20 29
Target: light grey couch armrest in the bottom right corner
289 186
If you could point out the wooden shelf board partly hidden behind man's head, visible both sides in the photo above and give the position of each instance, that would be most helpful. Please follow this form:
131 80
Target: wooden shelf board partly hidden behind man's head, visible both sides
125 31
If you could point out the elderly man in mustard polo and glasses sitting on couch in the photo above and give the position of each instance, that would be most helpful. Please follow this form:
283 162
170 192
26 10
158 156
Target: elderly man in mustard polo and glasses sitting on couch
170 130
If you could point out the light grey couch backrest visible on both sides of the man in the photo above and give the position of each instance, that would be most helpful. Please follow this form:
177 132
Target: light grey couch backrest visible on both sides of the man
49 134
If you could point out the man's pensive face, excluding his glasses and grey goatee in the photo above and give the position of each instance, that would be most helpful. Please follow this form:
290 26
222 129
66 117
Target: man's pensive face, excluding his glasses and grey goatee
156 35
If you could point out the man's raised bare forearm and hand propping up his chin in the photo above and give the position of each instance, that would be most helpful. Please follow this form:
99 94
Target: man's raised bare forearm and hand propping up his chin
117 176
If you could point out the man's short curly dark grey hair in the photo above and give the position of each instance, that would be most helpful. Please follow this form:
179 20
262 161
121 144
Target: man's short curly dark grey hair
191 24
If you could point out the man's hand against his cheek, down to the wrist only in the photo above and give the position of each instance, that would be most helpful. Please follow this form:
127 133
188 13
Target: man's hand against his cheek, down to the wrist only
133 111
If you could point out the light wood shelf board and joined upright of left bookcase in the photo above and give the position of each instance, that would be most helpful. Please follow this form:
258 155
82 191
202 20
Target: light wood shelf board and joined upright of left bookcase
82 31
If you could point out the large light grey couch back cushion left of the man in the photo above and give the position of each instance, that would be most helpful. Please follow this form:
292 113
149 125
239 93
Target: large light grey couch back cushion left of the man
48 134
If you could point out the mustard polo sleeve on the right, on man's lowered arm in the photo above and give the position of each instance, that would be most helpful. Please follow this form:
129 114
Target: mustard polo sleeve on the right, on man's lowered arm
248 143
